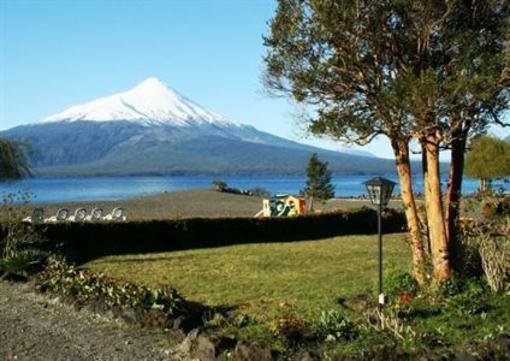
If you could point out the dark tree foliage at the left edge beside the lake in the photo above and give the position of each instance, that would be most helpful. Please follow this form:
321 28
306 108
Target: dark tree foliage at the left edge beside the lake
13 163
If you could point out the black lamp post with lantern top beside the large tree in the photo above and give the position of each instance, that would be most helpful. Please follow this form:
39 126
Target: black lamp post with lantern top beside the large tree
380 190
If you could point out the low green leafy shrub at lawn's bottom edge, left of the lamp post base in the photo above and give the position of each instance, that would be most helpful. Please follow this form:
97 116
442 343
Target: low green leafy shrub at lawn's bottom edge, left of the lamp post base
334 326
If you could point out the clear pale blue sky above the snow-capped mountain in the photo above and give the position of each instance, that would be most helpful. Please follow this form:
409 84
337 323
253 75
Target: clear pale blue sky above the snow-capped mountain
59 53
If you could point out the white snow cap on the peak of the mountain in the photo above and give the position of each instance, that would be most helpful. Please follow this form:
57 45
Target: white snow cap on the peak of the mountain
151 102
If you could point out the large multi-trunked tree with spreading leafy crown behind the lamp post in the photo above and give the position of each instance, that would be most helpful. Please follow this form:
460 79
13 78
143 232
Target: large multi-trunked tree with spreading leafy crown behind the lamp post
407 70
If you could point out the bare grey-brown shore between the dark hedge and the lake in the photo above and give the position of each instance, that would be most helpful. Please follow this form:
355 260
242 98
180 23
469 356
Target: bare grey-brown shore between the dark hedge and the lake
195 203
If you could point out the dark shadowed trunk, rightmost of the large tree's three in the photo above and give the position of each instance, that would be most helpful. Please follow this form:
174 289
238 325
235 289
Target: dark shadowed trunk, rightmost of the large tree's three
453 197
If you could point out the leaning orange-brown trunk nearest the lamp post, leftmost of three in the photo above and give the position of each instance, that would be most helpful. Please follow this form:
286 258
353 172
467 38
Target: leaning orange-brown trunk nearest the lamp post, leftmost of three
401 151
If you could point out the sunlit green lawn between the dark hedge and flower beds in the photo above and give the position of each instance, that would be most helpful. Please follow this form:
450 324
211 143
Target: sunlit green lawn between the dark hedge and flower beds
257 278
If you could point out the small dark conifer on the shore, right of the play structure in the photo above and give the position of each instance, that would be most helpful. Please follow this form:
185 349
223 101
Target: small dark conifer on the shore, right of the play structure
318 182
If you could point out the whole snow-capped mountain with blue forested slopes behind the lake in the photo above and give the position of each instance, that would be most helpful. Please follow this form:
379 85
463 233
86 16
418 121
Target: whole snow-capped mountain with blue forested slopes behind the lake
152 129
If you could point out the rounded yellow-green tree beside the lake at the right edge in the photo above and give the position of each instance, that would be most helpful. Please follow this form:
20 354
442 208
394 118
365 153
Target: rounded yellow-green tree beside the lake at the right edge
488 158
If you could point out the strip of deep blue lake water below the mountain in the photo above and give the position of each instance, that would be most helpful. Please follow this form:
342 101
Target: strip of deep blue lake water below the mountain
53 190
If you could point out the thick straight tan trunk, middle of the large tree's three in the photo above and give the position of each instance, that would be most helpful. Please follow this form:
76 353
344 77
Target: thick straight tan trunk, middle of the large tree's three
434 207
